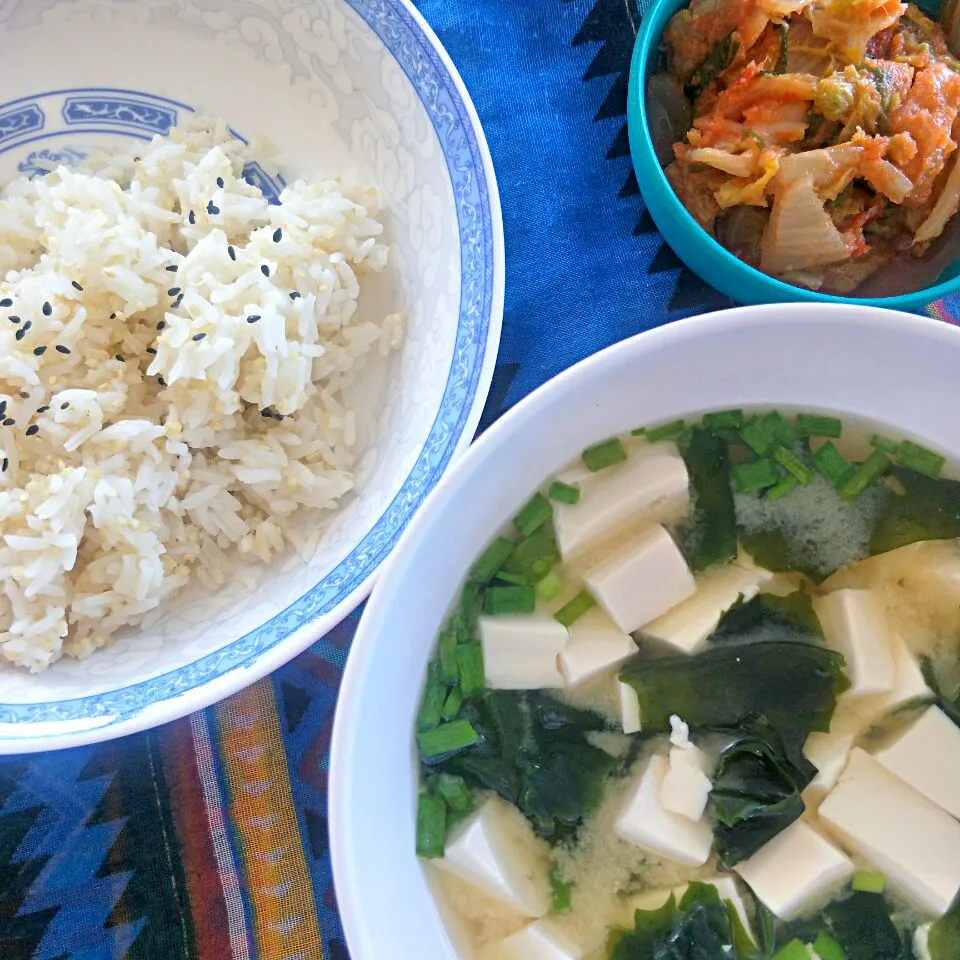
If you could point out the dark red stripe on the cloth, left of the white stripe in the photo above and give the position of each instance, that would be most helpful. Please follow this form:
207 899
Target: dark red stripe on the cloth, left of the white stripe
196 848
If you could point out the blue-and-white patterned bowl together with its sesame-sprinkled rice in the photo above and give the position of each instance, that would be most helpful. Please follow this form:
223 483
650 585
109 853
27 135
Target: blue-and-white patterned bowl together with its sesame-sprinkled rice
251 286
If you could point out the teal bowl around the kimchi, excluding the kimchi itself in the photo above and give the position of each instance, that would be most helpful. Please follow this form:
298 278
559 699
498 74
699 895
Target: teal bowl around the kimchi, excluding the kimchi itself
698 250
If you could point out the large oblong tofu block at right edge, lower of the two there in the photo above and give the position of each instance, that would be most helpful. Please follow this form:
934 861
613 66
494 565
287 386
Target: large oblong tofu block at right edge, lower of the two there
905 836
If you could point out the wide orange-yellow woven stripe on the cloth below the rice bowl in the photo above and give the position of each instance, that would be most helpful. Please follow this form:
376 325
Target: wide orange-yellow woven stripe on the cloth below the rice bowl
261 809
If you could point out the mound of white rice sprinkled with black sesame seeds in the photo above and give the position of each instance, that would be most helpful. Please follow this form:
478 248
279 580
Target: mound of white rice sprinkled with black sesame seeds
177 433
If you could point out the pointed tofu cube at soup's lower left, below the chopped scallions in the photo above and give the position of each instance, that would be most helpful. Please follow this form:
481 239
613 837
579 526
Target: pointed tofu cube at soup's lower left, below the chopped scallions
496 850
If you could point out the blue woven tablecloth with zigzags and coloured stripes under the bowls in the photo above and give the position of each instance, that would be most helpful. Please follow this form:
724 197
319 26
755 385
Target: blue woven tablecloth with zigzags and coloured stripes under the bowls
207 839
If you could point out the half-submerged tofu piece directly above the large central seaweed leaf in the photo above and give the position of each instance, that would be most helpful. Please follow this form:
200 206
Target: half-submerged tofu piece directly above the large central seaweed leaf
686 626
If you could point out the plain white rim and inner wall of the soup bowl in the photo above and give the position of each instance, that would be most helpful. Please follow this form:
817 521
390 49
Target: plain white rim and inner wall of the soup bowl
885 367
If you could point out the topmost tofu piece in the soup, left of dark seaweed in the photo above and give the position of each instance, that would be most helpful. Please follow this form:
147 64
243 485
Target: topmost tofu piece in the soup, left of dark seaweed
651 484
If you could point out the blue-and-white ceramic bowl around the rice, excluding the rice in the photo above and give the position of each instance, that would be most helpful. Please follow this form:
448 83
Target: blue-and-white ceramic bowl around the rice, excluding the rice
331 84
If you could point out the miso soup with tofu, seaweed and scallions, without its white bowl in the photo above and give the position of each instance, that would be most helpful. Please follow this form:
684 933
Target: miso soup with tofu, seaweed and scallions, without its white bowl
701 699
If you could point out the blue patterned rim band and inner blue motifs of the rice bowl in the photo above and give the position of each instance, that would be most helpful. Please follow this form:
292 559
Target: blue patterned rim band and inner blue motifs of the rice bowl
397 29
